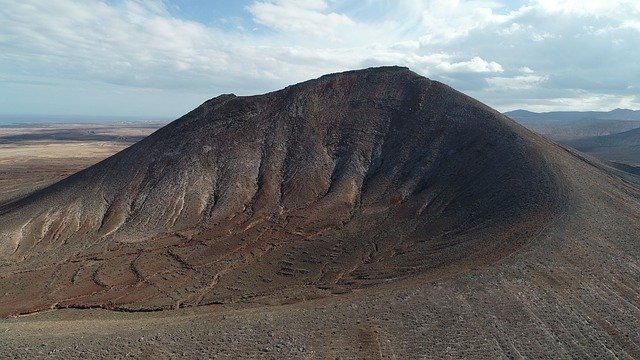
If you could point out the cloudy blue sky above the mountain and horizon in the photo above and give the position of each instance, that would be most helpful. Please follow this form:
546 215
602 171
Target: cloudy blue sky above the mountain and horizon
160 59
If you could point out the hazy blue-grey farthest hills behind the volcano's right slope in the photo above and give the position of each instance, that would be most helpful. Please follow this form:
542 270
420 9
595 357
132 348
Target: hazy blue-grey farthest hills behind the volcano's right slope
570 125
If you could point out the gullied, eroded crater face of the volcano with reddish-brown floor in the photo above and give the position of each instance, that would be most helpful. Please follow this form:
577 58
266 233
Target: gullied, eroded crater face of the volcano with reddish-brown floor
334 184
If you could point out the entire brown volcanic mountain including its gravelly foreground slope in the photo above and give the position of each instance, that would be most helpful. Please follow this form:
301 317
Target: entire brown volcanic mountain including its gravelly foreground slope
371 214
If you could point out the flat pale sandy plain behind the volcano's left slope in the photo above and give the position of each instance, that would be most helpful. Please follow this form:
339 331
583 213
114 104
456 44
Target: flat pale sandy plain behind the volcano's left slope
32 157
